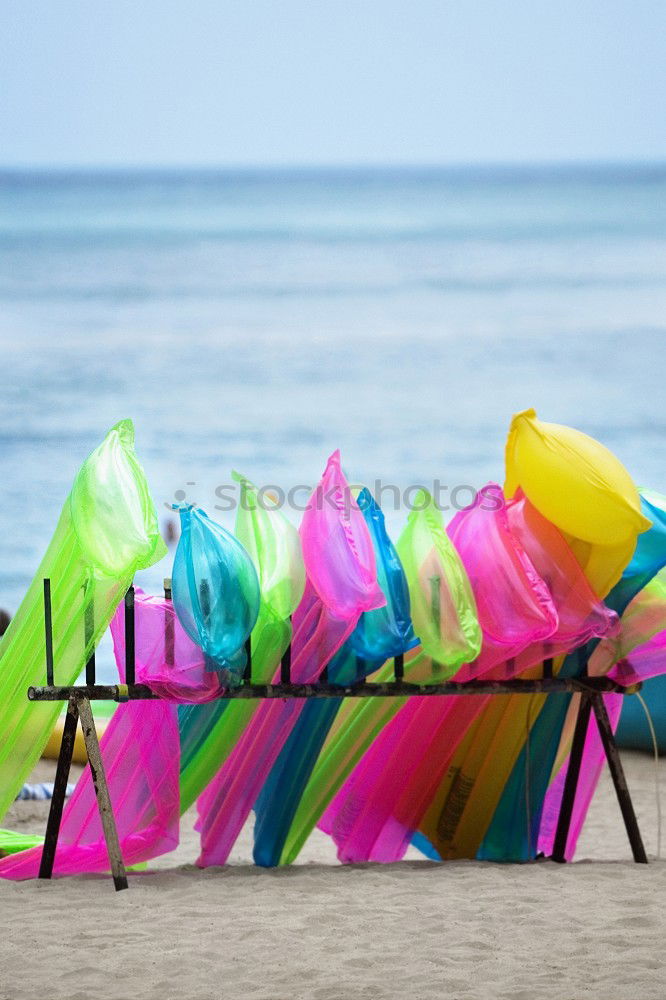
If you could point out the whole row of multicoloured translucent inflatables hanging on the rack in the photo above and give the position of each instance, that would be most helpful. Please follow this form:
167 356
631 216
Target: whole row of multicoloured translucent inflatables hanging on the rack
565 563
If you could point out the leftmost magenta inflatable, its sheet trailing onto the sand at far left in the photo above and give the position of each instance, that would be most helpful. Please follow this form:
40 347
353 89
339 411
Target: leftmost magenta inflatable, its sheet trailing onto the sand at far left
141 753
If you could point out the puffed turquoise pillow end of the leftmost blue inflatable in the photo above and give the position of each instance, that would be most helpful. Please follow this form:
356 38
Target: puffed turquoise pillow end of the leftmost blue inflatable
215 592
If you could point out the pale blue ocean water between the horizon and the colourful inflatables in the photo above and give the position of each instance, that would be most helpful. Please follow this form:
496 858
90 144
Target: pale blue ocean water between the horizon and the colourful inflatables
257 321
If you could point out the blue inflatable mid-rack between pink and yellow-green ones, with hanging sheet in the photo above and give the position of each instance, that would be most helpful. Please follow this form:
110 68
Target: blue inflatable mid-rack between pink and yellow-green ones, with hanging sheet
379 634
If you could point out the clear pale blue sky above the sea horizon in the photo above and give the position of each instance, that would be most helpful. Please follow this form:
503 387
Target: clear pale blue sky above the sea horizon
286 82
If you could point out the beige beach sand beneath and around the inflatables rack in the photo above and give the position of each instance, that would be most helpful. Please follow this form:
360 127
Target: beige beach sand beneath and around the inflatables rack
321 931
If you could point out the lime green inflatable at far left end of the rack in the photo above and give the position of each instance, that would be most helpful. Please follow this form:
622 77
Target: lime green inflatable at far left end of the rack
106 532
